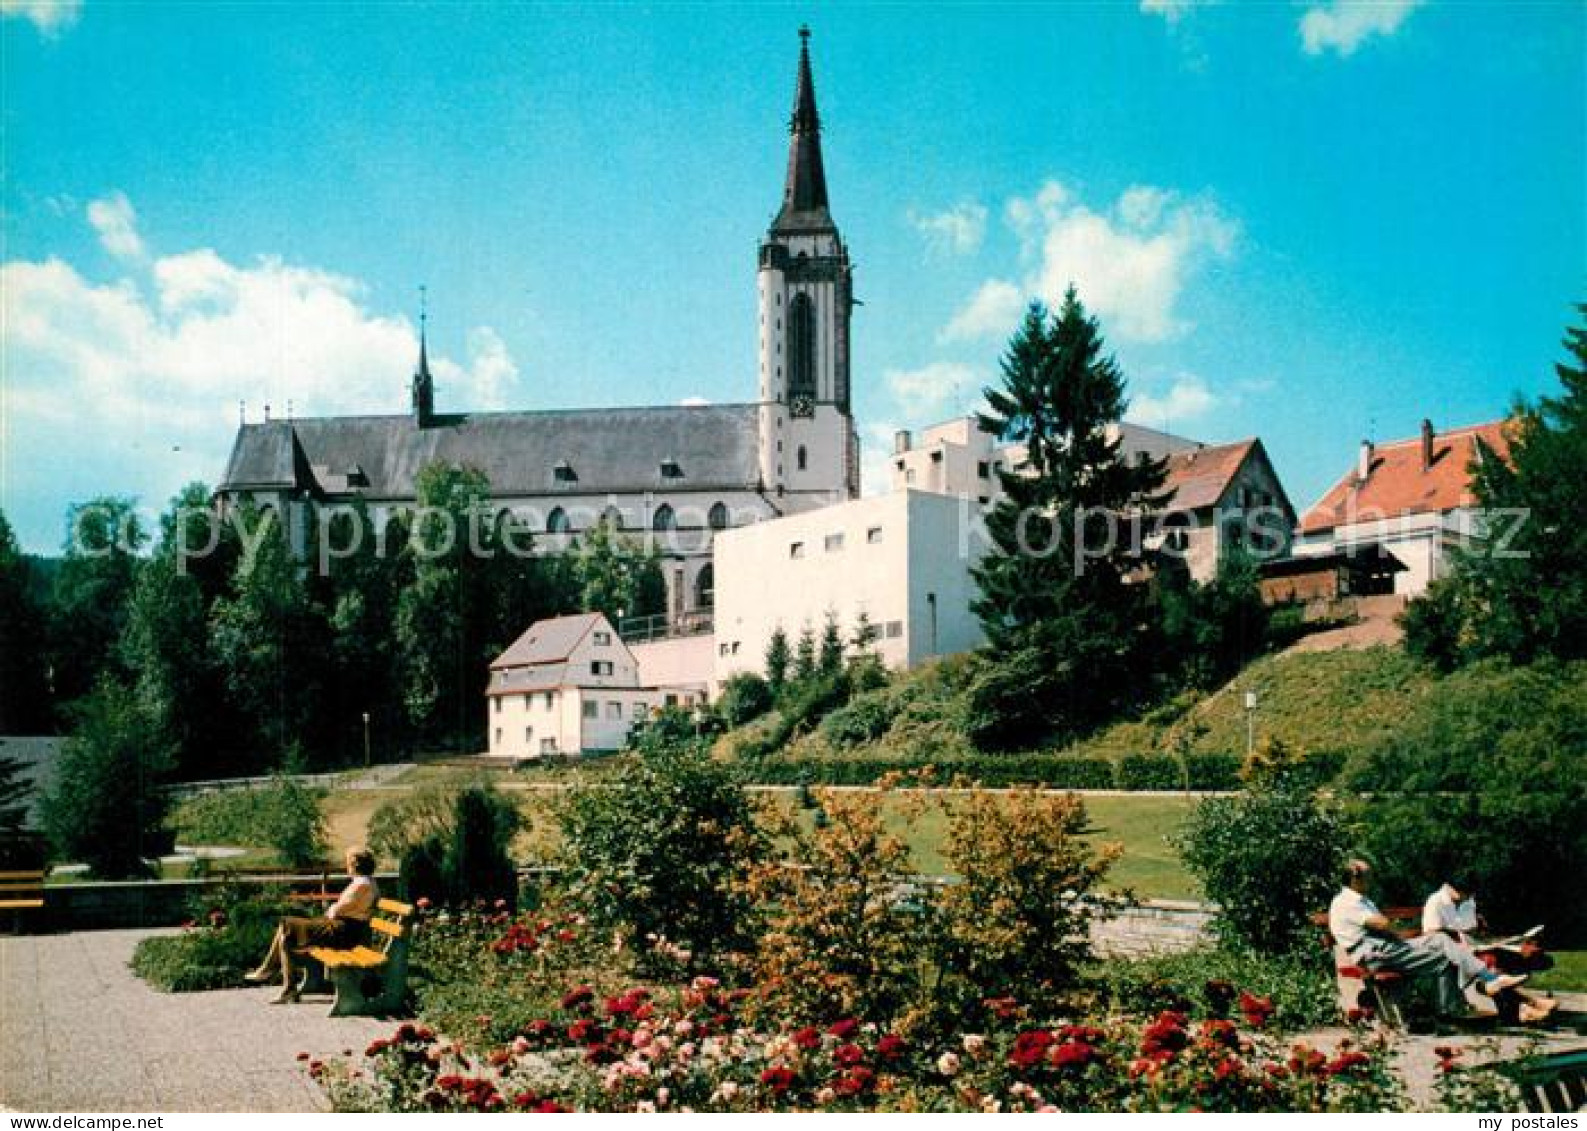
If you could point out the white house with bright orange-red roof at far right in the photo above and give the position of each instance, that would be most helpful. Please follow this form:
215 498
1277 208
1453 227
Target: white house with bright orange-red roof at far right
1412 499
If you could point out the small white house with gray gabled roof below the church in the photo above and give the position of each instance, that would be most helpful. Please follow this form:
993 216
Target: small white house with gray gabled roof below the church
567 686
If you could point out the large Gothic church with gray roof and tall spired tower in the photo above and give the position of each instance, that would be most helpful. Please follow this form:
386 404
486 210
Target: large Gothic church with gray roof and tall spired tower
671 473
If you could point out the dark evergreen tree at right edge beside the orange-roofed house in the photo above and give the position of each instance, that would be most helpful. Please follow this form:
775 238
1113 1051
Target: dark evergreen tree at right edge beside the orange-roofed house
1527 599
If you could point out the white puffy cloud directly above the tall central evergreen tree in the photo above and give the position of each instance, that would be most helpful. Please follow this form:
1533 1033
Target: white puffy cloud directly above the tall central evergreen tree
1129 263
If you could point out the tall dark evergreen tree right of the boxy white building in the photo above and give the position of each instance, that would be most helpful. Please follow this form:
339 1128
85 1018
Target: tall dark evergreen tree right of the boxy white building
1067 635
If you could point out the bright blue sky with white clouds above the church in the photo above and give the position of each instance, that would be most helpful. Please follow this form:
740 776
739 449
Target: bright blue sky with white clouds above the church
1304 221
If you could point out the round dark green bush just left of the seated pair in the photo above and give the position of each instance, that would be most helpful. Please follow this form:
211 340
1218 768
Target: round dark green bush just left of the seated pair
1267 859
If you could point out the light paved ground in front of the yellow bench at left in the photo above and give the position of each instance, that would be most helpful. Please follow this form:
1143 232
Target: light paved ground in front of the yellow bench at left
80 1033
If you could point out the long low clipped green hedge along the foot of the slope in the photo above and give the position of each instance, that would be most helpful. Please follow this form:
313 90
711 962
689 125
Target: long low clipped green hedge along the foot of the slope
1197 772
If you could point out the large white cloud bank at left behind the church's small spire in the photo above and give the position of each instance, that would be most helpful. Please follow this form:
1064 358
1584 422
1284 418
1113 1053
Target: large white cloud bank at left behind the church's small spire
134 386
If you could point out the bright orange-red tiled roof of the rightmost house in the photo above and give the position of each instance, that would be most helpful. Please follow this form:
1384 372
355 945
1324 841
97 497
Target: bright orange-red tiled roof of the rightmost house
1397 485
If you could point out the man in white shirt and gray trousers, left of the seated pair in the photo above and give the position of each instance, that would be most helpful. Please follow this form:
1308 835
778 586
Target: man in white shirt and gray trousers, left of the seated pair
1369 938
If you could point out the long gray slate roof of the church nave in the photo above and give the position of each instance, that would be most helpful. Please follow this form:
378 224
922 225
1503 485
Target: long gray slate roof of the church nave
618 450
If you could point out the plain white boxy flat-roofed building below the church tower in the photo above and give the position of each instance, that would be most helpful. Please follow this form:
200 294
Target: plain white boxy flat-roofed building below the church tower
902 561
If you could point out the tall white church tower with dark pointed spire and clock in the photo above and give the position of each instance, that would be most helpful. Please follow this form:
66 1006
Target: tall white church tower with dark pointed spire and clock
809 450
